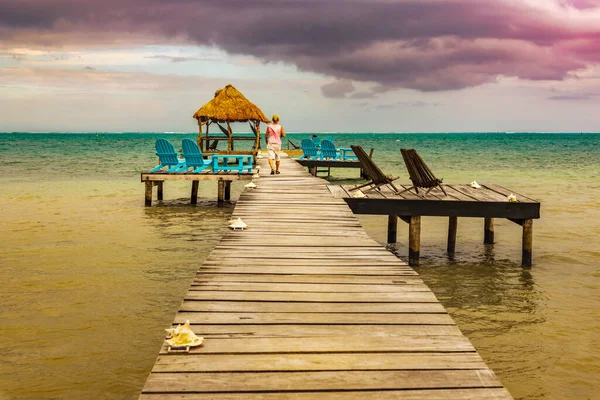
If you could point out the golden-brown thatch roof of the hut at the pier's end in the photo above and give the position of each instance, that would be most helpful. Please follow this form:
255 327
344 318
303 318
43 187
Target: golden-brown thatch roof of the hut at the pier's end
229 104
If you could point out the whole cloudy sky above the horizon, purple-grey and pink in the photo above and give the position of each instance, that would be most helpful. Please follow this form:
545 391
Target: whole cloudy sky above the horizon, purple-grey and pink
323 66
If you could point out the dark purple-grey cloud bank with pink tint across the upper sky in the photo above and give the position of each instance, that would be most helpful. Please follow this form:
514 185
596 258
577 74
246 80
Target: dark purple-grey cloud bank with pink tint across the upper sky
428 45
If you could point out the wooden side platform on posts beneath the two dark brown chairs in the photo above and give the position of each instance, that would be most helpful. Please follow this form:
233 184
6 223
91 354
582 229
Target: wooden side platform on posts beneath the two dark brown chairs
488 202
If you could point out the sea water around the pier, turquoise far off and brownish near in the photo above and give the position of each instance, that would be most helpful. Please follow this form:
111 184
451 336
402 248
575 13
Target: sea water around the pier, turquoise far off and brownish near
91 277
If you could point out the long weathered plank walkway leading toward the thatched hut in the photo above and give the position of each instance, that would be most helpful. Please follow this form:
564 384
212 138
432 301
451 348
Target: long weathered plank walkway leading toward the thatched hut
304 305
